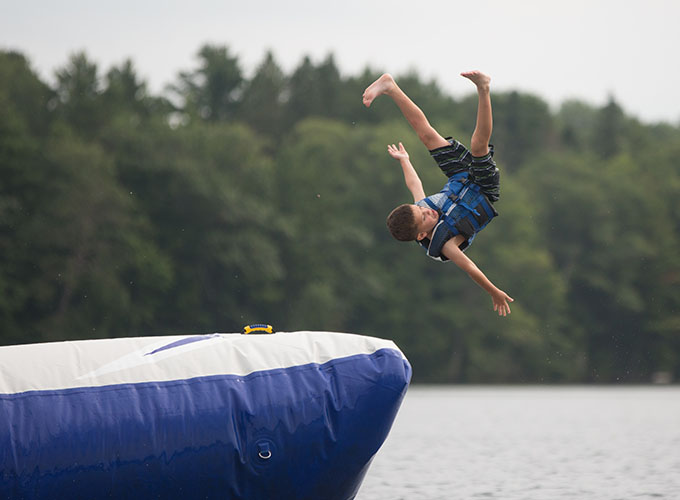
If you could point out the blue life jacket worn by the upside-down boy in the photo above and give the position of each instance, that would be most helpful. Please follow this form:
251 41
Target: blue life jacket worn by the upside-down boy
466 211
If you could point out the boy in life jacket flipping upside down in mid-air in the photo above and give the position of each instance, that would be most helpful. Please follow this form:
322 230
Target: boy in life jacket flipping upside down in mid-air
447 222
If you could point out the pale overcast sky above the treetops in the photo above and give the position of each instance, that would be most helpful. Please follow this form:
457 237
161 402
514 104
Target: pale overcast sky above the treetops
585 49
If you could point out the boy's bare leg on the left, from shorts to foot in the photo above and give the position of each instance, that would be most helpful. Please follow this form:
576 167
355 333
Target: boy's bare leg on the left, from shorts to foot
413 114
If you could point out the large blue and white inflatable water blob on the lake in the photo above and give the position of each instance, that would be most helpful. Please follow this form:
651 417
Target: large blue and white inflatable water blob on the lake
294 415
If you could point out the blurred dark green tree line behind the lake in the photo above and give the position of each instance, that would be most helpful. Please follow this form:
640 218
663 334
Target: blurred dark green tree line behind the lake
229 200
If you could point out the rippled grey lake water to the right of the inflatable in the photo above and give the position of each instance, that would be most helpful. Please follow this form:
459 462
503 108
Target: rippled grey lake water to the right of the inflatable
531 443
